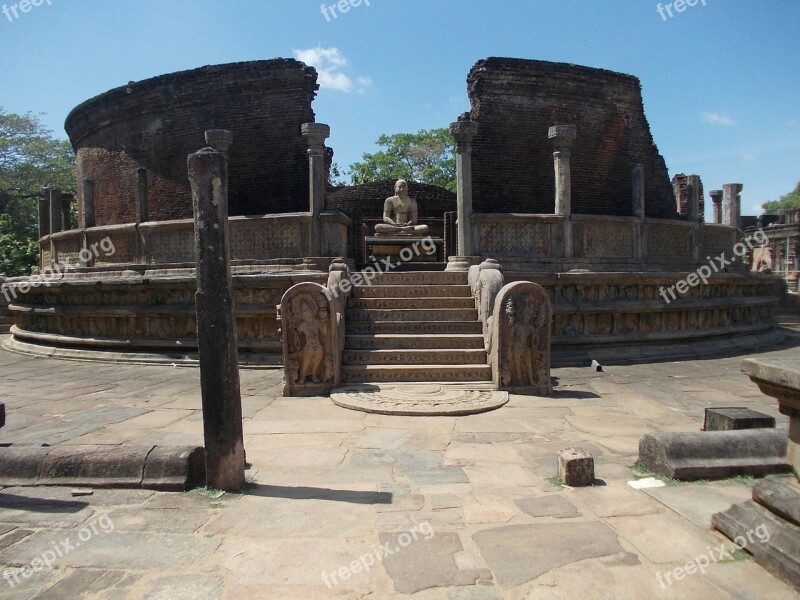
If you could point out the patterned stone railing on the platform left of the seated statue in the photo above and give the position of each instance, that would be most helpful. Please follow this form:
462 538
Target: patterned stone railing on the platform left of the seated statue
172 242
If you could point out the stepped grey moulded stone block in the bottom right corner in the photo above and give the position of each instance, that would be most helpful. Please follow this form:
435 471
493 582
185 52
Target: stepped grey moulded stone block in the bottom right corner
773 542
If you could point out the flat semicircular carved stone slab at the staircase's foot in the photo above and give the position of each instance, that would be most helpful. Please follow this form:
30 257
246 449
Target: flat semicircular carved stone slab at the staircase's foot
427 399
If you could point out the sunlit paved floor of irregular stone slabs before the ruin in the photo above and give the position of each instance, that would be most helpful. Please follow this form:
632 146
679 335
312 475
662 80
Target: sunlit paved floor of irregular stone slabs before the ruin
463 504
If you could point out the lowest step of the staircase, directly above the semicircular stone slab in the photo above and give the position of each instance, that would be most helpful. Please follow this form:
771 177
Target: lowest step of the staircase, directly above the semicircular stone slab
410 373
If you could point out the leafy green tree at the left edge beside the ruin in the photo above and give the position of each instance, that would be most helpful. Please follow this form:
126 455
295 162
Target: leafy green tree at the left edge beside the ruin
30 159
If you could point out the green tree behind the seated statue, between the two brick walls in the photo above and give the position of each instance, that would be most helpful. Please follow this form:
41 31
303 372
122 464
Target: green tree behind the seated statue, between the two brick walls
427 157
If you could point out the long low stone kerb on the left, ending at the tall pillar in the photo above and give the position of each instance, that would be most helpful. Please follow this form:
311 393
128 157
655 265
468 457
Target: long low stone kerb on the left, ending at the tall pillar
165 468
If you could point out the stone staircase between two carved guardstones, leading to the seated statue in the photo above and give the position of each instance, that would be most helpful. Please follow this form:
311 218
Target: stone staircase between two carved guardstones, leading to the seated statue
414 326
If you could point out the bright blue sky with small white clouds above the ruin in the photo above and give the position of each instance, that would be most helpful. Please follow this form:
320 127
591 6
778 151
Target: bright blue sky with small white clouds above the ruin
721 79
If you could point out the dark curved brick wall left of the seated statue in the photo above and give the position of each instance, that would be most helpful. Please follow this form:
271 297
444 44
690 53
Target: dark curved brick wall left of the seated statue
156 123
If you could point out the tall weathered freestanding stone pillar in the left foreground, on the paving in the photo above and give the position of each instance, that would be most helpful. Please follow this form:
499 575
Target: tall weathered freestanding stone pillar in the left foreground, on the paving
216 325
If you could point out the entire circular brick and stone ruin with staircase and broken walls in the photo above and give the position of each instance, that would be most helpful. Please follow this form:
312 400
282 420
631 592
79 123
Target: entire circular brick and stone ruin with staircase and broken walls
561 189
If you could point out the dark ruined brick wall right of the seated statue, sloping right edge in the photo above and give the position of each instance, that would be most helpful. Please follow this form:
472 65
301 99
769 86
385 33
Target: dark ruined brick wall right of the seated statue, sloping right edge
515 101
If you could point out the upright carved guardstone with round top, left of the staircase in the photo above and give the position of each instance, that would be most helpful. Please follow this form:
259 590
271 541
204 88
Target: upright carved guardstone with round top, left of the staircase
311 345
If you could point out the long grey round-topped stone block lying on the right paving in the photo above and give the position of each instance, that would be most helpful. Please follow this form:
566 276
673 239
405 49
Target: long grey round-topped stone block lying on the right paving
714 454
